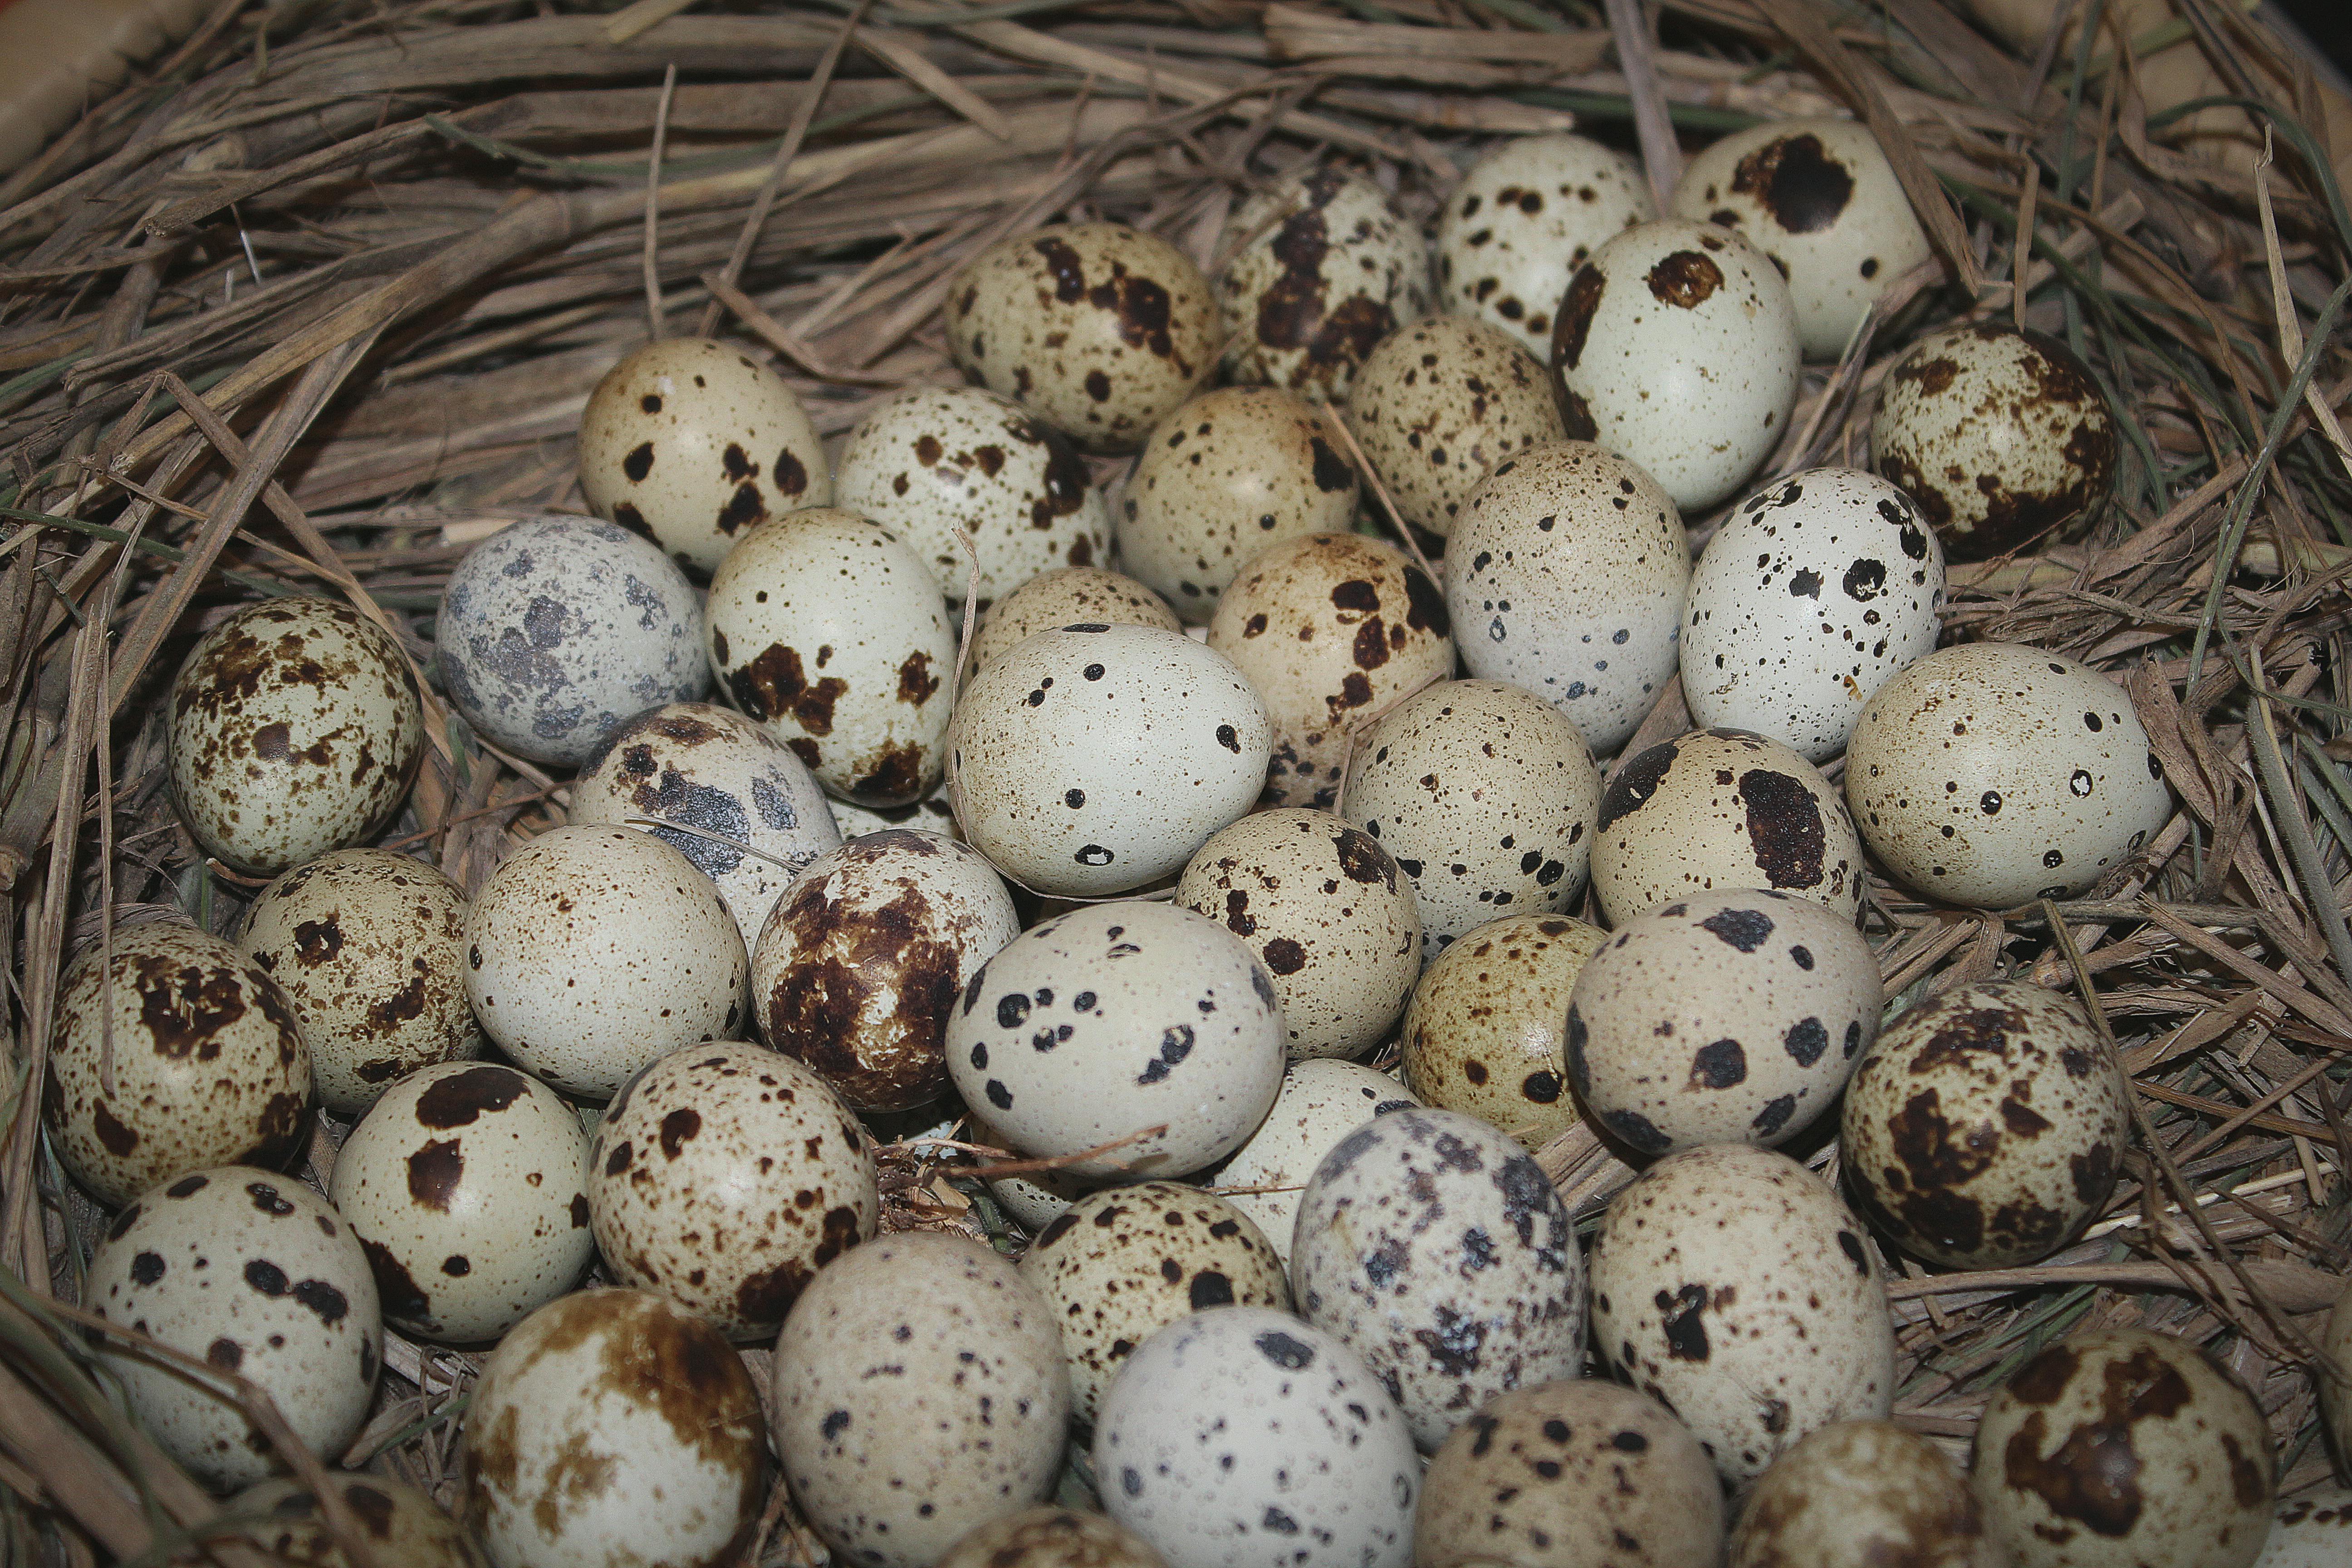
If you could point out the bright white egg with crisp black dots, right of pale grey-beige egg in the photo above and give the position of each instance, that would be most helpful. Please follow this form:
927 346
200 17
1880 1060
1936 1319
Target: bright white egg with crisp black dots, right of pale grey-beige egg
1808 601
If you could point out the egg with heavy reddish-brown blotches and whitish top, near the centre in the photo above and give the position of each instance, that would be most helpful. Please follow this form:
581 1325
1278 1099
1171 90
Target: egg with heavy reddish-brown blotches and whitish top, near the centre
864 956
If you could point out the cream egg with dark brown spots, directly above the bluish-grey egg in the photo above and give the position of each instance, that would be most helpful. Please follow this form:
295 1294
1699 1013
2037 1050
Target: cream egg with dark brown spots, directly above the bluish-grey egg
690 443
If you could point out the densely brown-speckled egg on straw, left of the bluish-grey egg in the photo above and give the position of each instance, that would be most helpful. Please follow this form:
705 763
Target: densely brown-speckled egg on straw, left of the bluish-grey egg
295 728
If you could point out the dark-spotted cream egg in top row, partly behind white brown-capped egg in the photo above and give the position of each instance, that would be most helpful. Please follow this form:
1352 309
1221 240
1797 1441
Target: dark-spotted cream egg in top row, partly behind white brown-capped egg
1525 220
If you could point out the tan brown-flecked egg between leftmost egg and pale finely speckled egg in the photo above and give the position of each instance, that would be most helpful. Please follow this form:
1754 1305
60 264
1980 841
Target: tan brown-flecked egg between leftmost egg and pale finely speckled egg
370 949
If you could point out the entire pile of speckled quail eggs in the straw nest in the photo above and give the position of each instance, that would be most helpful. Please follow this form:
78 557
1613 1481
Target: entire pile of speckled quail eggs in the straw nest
1224 812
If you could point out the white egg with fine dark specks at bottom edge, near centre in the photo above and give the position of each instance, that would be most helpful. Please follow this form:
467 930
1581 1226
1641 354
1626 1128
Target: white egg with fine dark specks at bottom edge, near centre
1250 1440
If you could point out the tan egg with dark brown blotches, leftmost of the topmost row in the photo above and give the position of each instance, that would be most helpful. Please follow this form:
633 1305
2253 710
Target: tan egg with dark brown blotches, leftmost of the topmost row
1097 328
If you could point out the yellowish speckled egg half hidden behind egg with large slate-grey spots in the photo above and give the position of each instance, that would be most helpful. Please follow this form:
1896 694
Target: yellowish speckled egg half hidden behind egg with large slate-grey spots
1485 1036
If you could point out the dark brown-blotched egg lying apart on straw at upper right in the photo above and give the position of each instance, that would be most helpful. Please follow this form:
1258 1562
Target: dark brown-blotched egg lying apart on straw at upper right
2000 436
